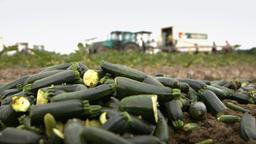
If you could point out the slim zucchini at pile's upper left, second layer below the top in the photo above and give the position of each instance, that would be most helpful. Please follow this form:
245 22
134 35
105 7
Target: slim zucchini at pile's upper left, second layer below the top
41 75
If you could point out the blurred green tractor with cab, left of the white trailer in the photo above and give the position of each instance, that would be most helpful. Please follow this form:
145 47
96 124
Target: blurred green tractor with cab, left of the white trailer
119 40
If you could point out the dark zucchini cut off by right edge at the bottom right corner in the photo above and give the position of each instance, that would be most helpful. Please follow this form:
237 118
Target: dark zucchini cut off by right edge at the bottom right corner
248 127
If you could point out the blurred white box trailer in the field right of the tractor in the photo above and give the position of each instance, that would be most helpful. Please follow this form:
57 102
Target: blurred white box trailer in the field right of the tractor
174 39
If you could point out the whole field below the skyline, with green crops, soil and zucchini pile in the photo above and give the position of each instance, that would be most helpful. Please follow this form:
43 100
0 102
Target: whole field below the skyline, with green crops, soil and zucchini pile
129 100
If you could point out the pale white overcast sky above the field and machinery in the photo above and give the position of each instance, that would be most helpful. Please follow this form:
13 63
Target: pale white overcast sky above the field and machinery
61 24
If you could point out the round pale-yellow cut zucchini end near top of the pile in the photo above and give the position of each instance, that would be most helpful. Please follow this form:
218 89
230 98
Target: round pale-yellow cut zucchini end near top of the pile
91 78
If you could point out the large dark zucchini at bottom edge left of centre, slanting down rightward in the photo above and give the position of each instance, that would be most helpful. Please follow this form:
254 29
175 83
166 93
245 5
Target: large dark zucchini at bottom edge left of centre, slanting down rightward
101 136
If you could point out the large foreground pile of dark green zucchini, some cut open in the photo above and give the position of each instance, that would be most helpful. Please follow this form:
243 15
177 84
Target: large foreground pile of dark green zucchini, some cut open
115 104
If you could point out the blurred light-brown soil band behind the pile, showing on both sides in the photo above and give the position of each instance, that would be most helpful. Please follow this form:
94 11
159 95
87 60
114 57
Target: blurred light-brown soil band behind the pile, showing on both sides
245 72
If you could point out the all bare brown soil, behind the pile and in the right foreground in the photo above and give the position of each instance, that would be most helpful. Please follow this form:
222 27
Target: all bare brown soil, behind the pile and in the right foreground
221 133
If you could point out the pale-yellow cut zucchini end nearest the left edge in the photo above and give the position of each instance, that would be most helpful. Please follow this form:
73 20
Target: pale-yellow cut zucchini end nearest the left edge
20 104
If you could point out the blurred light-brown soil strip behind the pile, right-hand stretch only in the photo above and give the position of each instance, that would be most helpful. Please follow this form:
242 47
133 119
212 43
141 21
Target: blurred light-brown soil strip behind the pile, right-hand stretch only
245 72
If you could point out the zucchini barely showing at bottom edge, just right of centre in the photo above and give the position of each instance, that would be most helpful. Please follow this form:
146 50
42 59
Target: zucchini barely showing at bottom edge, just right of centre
144 139
